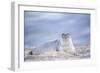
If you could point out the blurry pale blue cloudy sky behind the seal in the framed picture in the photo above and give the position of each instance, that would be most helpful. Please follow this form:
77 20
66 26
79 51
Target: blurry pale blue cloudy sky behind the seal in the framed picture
41 27
